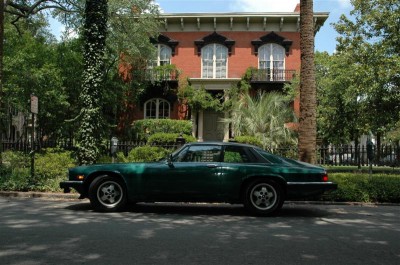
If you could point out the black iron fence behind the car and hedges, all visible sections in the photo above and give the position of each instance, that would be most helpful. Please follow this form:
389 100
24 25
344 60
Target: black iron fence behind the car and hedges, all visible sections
387 155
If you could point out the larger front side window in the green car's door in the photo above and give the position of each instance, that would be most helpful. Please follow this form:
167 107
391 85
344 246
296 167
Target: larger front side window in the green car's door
203 153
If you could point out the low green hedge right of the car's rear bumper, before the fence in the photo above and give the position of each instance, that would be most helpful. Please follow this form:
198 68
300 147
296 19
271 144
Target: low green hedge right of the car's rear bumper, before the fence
366 188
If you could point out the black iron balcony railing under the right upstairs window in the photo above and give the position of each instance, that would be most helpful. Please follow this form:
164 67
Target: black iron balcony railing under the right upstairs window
272 75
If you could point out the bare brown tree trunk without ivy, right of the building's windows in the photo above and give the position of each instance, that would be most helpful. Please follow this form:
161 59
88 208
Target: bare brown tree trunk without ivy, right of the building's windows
307 120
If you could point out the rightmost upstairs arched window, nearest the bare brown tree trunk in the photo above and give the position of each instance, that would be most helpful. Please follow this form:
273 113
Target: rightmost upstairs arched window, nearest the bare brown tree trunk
271 58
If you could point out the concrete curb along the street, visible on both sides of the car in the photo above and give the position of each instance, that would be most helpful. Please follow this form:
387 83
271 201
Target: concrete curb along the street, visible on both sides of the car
75 196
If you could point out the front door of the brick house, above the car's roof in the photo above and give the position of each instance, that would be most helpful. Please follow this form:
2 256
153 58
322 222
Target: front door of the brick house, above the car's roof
213 127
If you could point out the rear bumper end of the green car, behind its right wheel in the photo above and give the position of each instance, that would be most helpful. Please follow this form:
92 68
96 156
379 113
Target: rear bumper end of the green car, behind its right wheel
300 190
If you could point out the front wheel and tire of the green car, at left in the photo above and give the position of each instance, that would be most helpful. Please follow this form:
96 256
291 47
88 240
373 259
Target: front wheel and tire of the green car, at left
107 194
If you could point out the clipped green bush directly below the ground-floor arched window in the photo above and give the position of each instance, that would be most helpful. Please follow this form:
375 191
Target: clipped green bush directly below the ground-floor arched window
142 129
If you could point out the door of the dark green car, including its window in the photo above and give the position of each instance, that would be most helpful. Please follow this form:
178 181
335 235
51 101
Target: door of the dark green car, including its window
192 175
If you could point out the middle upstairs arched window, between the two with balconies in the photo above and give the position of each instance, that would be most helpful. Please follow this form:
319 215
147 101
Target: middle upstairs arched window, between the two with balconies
214 61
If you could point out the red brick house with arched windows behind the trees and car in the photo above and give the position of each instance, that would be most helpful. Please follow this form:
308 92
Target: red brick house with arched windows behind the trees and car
214 51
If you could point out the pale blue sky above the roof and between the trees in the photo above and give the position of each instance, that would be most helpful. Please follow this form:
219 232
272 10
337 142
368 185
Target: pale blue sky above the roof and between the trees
325 39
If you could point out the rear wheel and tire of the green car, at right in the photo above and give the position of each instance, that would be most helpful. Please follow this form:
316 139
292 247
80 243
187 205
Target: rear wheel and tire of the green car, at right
263 197
